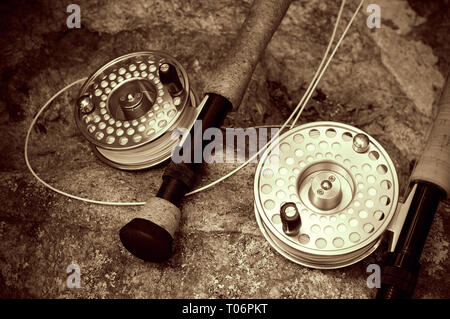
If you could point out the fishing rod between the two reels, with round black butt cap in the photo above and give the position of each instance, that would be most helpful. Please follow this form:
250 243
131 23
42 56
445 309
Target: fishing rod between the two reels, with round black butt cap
150 234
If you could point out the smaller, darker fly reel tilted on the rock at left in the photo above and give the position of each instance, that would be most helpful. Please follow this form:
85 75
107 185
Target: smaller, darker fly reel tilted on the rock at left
129 107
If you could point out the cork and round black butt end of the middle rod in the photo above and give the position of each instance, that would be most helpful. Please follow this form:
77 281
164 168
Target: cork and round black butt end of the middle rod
150 235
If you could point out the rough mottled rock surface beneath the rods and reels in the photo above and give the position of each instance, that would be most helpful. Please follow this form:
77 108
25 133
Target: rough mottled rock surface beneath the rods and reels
384 81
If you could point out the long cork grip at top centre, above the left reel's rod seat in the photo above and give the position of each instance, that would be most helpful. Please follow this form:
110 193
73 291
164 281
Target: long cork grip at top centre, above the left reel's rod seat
231 78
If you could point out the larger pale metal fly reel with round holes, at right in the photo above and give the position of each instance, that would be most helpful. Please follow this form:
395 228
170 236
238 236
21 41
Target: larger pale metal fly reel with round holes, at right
324 194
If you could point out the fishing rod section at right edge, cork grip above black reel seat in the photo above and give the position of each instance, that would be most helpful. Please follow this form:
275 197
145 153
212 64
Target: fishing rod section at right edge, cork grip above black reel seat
429 184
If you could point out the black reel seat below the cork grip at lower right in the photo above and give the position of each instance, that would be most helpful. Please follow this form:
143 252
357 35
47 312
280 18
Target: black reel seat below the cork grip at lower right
401 267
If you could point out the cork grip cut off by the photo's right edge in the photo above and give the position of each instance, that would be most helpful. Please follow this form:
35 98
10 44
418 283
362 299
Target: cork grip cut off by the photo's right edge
434 164
